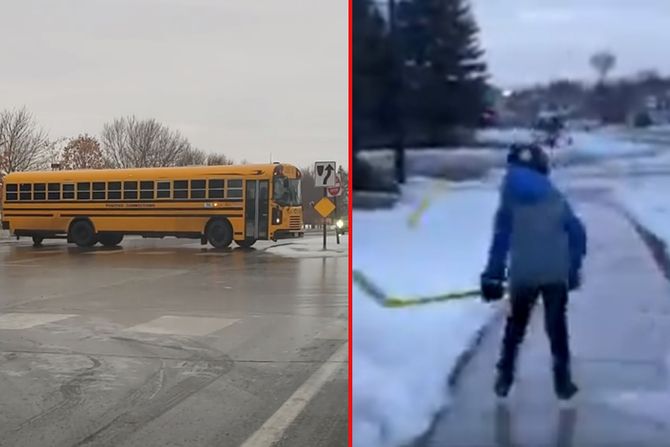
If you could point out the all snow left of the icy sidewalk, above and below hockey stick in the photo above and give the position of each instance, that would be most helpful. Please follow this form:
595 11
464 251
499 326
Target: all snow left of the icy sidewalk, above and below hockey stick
402 357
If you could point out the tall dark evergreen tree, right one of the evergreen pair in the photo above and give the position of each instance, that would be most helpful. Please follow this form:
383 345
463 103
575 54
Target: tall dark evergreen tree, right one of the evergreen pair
445 78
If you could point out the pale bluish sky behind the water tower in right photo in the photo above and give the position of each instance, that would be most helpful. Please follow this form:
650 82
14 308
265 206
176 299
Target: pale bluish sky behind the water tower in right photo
534 40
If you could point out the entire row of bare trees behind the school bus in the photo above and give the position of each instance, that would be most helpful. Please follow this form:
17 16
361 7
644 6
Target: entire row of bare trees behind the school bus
126 142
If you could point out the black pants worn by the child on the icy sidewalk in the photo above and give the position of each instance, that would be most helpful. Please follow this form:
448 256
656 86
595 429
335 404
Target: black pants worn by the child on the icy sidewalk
555 297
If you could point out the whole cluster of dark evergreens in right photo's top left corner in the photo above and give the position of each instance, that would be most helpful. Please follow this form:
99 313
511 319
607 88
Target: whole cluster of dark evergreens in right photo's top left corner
418 69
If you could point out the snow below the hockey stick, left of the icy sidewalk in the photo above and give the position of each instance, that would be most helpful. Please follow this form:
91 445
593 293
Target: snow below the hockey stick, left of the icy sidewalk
401 360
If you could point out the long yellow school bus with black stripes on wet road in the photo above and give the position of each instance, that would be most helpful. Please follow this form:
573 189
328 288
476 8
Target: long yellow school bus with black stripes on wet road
216 204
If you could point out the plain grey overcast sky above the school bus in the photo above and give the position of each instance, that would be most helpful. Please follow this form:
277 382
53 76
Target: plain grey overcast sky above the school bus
243 77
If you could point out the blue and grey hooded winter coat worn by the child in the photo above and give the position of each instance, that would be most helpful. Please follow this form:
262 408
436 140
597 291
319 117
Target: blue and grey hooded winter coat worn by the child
535 231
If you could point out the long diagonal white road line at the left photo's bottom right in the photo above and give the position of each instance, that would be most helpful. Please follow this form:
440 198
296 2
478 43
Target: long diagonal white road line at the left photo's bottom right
273 429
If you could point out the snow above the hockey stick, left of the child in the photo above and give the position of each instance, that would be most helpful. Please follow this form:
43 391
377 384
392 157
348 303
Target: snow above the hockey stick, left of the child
444 252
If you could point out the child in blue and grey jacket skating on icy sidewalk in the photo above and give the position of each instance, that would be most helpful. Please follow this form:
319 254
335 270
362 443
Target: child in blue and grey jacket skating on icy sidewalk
538 247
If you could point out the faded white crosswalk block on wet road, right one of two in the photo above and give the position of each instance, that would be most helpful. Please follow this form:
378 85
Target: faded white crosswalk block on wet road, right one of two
182 325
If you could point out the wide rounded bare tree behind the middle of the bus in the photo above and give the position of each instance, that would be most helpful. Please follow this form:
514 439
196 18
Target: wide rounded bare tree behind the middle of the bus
131 143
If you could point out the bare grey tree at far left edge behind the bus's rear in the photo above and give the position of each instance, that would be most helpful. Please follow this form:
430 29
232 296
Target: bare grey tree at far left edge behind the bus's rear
23 145
